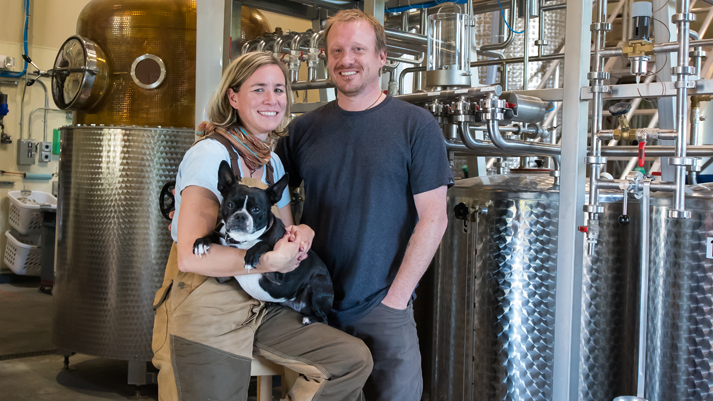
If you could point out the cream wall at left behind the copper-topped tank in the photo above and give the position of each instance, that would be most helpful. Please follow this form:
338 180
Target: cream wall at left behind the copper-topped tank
51 23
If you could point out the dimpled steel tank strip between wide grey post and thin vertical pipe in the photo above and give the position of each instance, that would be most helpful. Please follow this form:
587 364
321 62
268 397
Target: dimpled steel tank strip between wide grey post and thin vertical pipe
610 280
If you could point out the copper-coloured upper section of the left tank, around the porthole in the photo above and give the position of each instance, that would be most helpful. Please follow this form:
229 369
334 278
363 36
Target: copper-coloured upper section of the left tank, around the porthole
128 29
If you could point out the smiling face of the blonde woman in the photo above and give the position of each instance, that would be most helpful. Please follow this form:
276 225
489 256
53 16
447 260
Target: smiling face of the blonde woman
261 101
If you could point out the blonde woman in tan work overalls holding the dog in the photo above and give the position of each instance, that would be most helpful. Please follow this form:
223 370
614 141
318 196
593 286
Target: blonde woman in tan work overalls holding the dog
205 332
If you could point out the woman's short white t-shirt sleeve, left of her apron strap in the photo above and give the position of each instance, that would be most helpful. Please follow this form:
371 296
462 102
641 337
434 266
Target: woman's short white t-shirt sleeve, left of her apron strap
200 166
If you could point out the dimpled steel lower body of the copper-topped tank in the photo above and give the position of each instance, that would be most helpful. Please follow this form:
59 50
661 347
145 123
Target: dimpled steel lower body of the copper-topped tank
112 242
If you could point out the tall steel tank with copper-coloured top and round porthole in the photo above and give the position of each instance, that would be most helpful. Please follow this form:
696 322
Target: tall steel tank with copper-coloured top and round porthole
112 242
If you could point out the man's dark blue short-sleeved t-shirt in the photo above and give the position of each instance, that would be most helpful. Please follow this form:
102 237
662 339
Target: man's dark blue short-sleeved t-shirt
361 171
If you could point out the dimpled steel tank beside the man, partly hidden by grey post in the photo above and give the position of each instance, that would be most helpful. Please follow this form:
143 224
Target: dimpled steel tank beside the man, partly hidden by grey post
493 296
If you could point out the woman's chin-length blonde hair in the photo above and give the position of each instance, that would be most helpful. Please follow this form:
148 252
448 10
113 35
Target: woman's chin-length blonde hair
220 112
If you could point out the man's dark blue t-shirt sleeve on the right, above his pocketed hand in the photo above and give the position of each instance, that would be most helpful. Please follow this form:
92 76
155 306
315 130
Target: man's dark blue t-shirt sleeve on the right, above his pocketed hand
429 167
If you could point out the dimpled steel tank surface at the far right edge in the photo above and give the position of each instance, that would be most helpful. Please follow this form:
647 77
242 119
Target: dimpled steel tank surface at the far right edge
680 319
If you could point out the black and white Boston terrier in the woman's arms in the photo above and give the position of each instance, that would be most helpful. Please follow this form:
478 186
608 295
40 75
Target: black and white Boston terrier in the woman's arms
248 223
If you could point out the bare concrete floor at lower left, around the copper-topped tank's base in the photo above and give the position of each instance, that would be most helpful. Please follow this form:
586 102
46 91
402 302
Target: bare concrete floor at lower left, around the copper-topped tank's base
29 368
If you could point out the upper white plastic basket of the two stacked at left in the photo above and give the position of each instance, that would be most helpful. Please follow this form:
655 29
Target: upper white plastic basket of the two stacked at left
25 216
